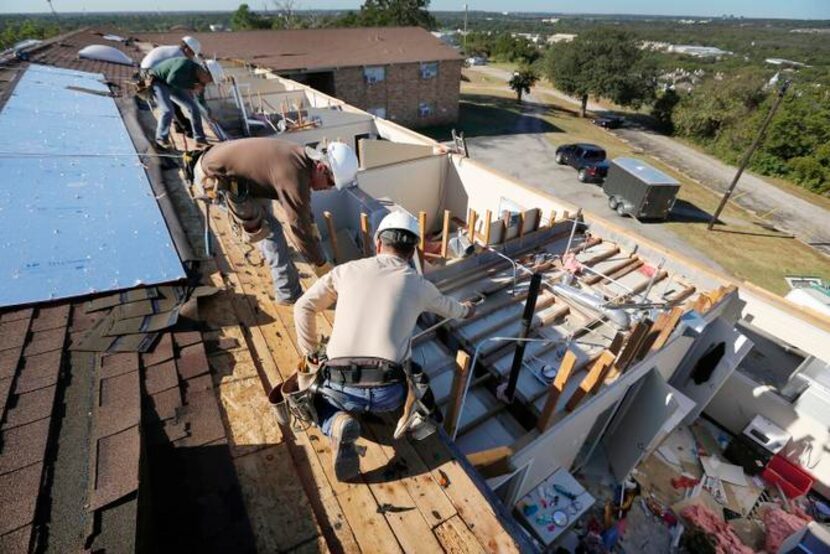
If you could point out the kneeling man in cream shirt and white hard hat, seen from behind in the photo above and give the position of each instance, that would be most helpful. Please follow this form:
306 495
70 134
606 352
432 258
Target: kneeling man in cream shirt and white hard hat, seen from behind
366 366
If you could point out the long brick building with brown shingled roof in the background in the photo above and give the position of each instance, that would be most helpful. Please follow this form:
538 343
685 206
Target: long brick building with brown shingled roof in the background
403 74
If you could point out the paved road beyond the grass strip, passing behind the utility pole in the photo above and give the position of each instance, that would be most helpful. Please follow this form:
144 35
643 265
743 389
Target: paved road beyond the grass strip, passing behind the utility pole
785 211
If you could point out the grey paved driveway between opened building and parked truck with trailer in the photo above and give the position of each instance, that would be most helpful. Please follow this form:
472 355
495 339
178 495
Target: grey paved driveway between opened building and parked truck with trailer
529 156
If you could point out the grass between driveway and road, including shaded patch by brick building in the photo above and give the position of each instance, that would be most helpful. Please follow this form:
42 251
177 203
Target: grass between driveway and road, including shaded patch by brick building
740 245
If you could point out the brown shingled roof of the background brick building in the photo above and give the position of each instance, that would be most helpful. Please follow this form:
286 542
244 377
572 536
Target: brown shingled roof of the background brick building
304 49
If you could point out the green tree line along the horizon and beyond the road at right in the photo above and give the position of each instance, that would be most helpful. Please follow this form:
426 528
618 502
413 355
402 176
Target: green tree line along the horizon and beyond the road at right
721 113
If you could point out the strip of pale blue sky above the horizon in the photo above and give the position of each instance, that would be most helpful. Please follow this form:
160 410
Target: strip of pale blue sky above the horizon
800 9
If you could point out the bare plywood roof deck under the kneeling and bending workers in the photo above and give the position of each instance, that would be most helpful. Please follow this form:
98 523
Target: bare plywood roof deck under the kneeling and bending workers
412 497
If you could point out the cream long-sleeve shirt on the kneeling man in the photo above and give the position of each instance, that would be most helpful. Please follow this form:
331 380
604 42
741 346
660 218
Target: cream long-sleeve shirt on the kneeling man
378 300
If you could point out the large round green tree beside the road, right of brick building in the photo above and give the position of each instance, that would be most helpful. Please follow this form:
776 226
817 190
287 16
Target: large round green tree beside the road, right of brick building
602 62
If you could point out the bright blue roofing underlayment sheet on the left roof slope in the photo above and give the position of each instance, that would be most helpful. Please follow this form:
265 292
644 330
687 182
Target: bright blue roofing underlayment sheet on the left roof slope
75 193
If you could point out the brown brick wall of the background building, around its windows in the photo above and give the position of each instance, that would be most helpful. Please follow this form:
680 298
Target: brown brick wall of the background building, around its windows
402 92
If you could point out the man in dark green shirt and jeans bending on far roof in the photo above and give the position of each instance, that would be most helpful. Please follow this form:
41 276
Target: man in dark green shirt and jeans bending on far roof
179 80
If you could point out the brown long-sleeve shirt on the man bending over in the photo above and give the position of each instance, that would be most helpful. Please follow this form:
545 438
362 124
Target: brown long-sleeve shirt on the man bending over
274 169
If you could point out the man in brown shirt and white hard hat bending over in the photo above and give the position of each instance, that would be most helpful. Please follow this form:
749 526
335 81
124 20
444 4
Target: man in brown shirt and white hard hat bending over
250 173
